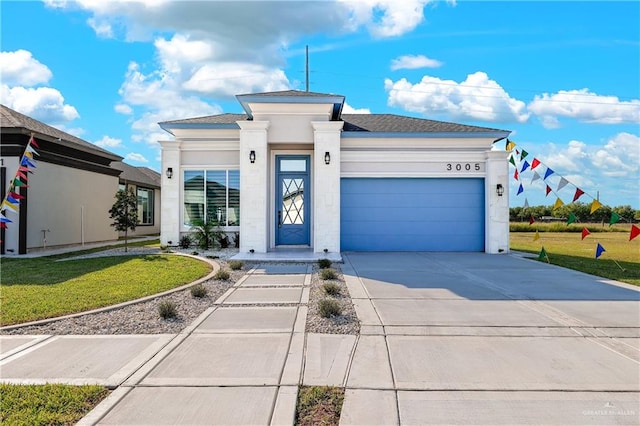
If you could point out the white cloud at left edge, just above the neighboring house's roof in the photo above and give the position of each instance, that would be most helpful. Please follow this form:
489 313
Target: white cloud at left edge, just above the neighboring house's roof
43 103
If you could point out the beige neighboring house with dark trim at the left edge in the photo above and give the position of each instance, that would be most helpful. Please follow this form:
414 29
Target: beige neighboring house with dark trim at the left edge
67 196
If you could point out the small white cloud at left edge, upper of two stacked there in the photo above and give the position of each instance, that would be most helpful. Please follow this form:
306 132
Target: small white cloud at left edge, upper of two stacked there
20 68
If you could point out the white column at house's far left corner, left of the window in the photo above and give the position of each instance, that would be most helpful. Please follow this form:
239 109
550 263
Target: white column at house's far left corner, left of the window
170 193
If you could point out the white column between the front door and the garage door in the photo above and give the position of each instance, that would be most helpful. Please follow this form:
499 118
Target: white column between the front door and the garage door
326 186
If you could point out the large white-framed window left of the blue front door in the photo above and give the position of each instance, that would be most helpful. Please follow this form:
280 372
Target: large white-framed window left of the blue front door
212 196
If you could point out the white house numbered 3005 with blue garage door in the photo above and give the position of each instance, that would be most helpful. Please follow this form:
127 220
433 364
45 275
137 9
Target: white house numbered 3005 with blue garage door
293 171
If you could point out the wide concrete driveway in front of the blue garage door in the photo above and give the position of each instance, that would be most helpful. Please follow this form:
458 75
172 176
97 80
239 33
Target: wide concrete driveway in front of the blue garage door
470 338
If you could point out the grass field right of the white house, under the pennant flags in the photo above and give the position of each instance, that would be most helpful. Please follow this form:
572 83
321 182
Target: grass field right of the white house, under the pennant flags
570 251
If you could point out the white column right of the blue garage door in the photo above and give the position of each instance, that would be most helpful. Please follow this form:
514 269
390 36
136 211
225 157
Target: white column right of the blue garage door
496 206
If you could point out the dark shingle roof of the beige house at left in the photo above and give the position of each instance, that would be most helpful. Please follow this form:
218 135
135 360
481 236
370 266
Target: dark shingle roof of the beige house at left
13 119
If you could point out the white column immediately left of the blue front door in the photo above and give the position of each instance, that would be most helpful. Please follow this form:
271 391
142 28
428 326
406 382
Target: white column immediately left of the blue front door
254 187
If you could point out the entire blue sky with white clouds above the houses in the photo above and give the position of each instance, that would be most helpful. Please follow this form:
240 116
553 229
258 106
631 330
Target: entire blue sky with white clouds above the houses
563 76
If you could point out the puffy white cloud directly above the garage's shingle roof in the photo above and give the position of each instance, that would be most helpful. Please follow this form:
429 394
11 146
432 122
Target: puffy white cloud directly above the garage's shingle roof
476 98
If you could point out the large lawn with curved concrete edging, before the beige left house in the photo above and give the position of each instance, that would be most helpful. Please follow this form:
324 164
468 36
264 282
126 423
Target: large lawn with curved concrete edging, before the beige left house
38 288
